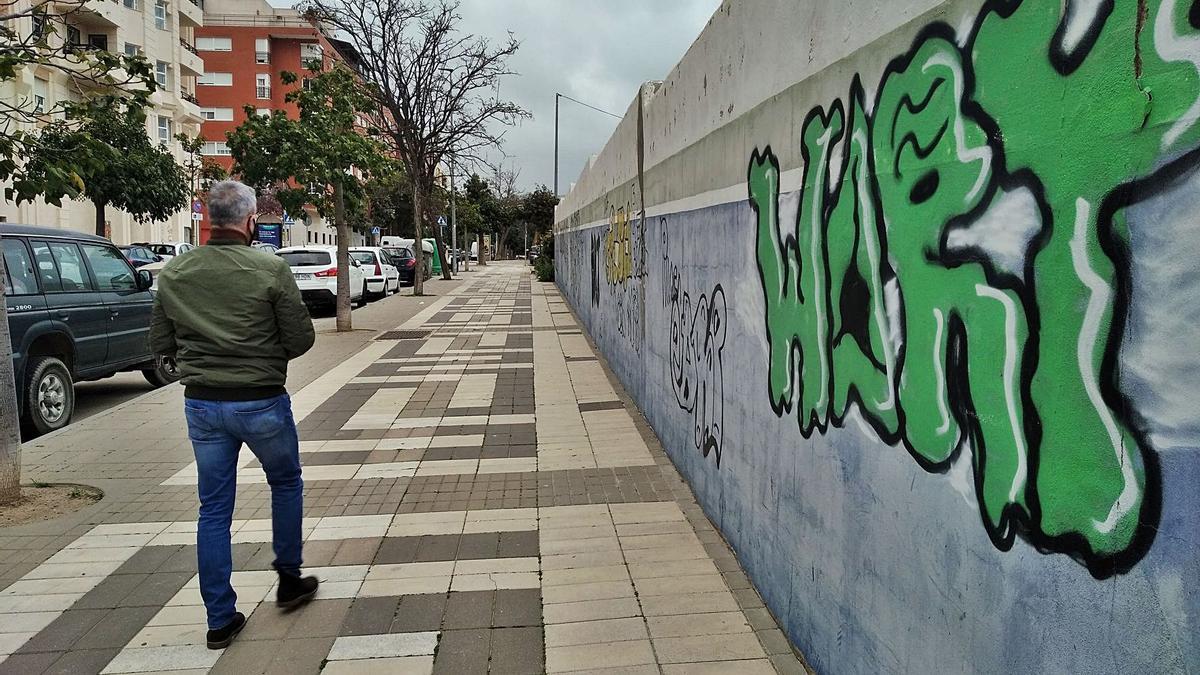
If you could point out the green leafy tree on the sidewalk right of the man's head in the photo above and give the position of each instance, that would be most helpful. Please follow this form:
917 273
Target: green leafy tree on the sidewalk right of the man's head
317 159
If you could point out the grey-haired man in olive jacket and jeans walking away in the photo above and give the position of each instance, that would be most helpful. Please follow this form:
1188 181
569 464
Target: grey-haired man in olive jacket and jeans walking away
232 318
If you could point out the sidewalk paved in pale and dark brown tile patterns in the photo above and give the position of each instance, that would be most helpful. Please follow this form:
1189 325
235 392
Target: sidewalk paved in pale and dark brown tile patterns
479 498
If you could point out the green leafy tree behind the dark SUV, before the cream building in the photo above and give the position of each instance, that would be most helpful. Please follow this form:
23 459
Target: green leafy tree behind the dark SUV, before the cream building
116 164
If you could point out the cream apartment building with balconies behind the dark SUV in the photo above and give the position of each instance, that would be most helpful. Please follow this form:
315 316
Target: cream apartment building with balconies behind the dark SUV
161 31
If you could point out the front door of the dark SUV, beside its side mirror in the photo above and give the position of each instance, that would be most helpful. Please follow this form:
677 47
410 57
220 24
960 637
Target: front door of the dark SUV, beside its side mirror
129 307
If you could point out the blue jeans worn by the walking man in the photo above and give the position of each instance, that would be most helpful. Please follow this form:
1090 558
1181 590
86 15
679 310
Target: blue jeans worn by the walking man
218 431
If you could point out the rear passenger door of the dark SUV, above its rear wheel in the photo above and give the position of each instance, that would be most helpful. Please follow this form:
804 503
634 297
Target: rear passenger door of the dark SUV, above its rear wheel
73 302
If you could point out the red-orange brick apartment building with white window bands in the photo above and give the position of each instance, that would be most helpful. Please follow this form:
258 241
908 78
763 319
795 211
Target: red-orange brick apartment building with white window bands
247 46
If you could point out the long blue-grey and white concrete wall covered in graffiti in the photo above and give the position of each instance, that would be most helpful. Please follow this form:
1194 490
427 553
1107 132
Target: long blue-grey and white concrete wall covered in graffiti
909 291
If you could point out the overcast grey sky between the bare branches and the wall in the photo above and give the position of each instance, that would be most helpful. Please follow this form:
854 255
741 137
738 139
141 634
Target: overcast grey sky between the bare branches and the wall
596 51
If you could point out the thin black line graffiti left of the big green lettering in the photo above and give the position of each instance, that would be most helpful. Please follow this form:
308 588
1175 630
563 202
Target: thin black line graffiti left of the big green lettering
698 339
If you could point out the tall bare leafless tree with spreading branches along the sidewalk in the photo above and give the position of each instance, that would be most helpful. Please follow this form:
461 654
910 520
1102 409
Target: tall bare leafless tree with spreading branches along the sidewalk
439 89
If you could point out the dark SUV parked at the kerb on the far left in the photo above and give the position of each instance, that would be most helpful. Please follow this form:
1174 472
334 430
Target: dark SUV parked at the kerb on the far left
77 312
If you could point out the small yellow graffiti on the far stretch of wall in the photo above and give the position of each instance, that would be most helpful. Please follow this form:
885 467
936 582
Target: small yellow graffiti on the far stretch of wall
625 266
